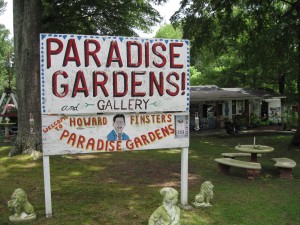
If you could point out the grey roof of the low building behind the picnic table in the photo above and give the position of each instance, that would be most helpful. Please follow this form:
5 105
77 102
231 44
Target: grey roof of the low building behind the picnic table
214 93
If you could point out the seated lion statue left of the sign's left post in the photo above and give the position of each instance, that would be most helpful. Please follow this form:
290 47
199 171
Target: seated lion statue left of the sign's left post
22 209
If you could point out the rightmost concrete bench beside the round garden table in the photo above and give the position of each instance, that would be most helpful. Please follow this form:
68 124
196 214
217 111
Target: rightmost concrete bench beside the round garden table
285 167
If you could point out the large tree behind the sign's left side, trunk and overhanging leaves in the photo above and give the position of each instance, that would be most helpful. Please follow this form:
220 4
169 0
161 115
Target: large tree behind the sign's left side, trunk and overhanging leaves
118 17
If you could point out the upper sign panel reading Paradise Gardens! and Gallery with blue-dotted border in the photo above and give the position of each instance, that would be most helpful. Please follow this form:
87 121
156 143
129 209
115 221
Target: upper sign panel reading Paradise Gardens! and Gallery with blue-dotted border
83 74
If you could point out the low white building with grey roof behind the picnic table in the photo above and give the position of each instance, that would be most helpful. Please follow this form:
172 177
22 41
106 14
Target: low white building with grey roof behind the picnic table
215 105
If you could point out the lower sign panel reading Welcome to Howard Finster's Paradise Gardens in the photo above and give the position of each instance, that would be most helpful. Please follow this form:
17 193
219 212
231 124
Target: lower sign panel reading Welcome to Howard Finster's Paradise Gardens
99 133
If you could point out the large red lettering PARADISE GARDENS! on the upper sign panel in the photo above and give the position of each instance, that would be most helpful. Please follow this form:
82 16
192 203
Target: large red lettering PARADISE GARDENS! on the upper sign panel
115 69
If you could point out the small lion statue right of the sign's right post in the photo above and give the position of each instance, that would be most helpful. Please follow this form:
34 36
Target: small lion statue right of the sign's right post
206 194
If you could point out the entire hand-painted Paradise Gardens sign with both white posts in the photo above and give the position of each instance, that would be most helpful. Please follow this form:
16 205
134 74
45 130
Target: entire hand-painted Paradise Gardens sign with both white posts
107 94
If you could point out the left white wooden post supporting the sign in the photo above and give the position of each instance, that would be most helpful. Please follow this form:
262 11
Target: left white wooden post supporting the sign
47 186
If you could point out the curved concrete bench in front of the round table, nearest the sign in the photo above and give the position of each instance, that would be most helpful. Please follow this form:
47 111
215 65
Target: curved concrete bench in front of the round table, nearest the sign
225 164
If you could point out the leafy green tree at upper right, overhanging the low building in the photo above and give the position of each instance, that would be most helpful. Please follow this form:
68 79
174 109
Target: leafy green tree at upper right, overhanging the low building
263 38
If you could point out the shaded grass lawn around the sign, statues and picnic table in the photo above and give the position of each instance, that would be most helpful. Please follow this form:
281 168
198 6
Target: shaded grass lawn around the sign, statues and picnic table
123 188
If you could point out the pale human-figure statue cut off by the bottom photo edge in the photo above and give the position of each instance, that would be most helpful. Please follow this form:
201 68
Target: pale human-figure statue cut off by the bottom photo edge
168 213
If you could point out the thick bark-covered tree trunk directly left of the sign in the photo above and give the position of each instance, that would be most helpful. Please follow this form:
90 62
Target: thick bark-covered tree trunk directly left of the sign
27 25
